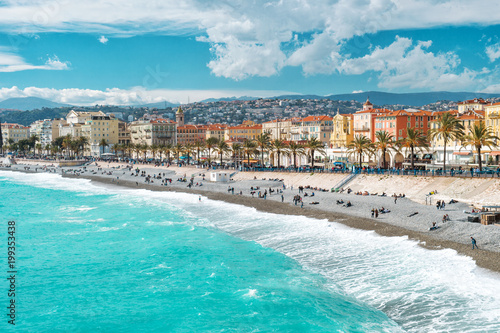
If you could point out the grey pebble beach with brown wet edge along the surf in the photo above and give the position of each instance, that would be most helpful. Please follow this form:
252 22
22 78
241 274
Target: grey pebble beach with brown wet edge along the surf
488 258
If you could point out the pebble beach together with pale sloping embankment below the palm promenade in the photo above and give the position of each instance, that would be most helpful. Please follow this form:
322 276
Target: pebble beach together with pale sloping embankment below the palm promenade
454 234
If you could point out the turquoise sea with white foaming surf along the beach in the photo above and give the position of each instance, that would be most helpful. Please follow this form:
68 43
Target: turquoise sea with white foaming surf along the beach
93 258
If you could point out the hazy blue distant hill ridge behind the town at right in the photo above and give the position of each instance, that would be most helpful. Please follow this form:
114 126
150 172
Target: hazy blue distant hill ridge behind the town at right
412 99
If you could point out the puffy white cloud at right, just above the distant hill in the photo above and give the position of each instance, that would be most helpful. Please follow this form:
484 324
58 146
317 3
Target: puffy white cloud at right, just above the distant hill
404 64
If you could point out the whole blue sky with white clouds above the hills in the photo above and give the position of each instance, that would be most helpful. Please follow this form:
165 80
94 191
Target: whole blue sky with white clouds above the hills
128 52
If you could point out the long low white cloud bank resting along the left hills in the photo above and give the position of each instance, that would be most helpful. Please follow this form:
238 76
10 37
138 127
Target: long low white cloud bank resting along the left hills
136 95
